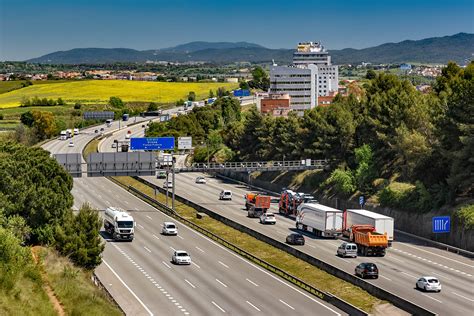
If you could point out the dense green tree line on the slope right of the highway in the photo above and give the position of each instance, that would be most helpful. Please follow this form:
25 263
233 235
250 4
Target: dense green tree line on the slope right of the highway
413 150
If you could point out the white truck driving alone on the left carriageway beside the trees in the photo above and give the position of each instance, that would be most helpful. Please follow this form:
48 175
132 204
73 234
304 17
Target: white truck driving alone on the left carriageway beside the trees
119 224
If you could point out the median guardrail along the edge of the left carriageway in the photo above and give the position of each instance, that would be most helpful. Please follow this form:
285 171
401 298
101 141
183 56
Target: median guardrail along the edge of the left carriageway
328 297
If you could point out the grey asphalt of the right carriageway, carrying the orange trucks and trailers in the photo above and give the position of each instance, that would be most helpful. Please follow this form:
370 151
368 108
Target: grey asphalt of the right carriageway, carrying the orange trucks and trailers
404 263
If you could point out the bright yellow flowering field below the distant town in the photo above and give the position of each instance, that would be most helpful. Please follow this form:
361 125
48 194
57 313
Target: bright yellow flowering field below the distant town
99 91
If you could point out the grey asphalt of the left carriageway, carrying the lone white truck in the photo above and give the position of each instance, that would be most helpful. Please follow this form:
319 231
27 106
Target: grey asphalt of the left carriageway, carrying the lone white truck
143 280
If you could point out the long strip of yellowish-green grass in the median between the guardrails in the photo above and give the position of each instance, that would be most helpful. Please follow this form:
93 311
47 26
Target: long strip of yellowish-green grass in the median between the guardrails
280 259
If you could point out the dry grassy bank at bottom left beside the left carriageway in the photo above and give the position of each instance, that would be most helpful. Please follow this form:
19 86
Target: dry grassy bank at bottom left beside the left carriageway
73 287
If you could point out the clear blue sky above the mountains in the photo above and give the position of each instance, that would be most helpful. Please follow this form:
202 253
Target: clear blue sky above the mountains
31 28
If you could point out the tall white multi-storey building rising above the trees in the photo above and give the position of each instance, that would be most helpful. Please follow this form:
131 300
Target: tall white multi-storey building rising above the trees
311 75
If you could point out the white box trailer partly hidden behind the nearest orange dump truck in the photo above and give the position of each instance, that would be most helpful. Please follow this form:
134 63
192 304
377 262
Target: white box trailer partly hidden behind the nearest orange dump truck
382 224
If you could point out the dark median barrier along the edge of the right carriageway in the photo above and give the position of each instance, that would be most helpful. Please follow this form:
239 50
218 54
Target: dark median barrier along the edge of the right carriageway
372 289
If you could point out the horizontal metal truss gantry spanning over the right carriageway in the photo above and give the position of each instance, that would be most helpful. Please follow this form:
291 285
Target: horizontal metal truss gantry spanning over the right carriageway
306 164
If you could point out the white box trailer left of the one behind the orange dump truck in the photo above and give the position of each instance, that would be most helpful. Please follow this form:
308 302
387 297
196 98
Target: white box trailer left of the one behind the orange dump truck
319 219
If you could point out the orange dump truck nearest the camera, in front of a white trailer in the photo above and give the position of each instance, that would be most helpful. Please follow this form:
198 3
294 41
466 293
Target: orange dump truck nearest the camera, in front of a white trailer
369 242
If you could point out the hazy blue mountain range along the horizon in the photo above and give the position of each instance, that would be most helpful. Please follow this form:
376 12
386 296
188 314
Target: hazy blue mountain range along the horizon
458 47
